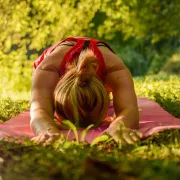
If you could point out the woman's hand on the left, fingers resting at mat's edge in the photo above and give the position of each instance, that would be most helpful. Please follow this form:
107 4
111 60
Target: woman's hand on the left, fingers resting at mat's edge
46 137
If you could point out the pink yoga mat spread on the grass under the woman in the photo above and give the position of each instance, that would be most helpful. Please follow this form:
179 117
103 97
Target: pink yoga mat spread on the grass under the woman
153 118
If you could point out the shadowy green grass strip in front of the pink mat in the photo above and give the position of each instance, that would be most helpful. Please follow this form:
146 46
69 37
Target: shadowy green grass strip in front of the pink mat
158 156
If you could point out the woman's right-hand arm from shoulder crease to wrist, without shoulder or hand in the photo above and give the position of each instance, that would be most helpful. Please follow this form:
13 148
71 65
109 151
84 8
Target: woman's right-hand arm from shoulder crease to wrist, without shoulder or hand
124 98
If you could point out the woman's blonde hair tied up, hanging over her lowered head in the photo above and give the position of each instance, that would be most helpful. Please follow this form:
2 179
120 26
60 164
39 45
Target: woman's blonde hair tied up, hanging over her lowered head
79 95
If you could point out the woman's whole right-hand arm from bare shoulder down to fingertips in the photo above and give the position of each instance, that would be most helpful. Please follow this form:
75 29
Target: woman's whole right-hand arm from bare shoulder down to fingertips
119 79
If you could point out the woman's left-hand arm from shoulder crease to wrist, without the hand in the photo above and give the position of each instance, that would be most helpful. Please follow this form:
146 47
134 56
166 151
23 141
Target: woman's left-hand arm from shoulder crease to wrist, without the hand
42 110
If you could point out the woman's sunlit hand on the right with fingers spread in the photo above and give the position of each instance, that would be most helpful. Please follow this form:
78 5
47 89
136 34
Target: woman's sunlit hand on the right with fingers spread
122 134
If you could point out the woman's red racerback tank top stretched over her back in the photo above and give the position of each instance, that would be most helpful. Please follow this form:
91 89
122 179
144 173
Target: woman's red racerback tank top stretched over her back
75 51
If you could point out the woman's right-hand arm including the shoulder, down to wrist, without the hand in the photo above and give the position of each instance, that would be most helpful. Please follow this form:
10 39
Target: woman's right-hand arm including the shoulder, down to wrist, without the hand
119 79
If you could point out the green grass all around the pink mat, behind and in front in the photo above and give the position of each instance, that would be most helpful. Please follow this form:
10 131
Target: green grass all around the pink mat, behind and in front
157 157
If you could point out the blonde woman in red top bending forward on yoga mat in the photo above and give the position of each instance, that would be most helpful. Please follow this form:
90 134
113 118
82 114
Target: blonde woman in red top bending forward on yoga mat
73 79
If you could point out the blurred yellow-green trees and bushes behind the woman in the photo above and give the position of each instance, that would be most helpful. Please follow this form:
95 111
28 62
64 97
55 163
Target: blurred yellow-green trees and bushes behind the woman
145 34
